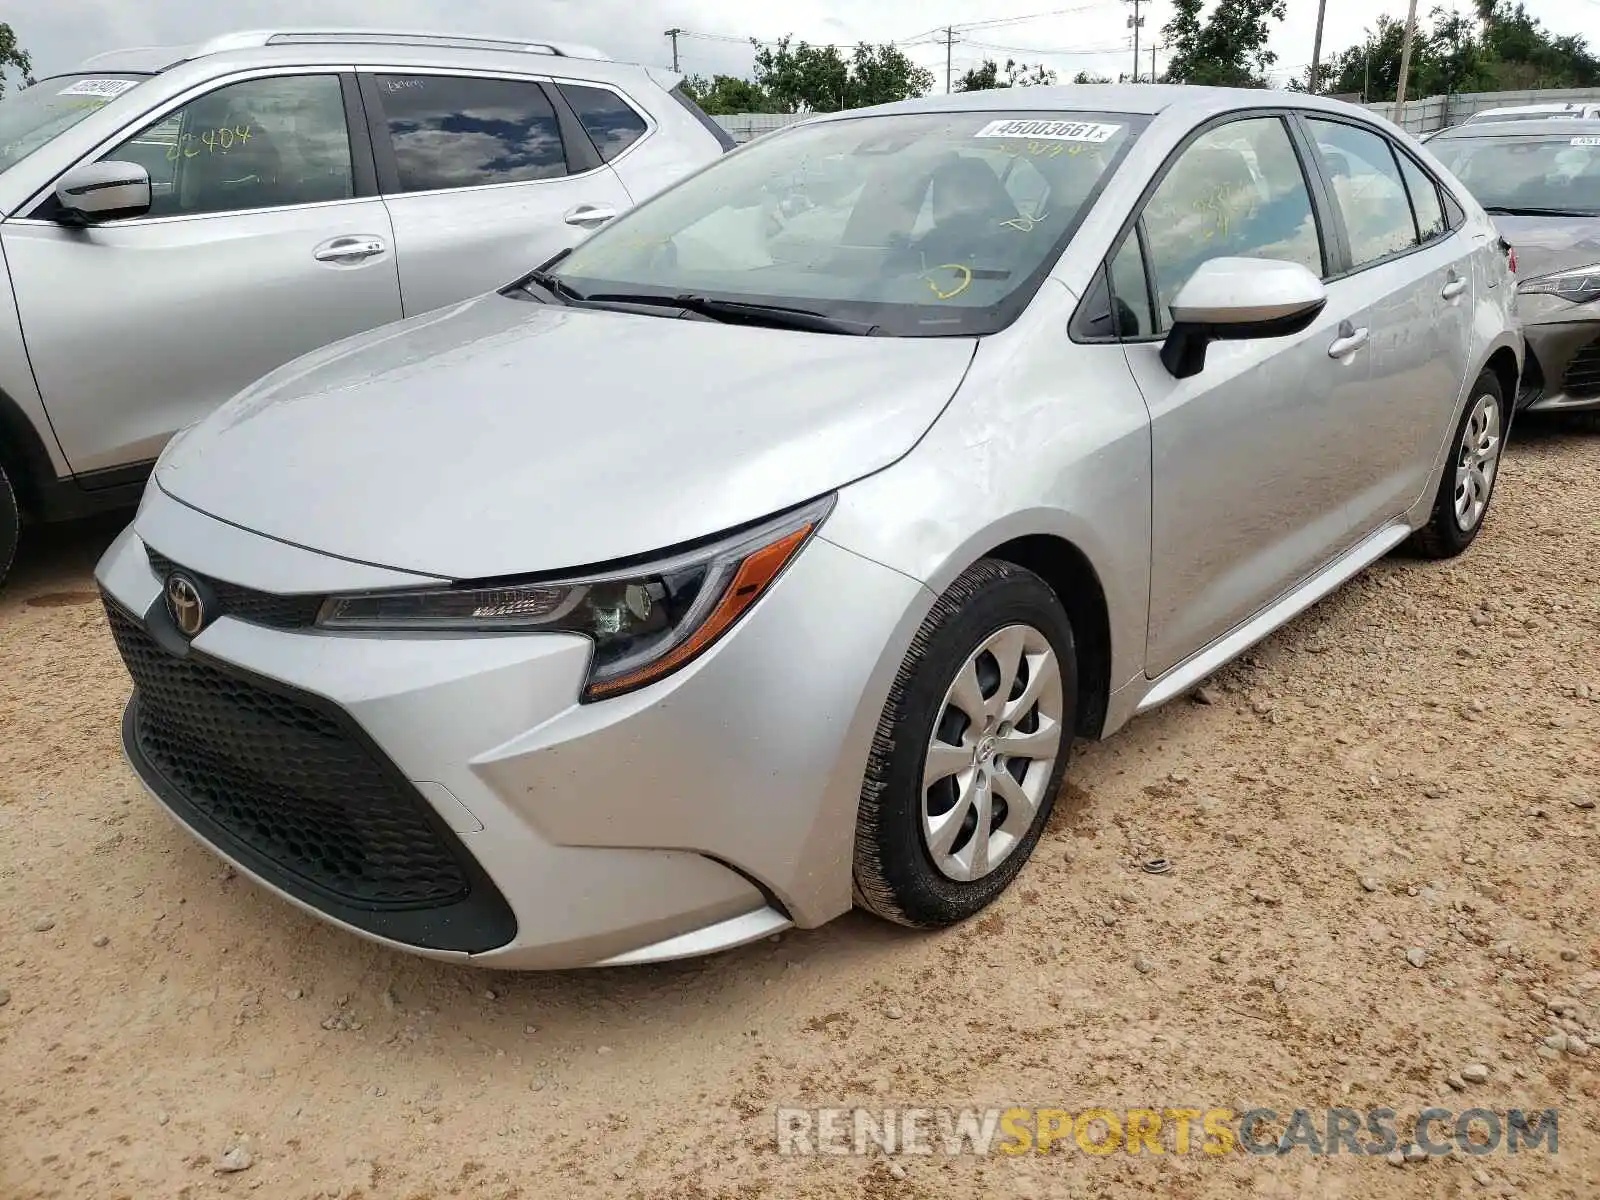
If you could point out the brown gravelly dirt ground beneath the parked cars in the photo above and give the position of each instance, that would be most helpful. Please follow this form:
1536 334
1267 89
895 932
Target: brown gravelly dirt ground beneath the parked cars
1410 767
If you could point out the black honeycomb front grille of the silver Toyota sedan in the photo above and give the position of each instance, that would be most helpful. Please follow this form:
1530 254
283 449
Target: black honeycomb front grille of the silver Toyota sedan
297 793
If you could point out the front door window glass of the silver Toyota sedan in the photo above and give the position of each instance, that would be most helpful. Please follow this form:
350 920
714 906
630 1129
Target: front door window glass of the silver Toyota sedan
1236 191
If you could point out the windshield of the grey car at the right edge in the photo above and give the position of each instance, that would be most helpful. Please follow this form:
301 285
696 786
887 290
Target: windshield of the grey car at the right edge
1546 172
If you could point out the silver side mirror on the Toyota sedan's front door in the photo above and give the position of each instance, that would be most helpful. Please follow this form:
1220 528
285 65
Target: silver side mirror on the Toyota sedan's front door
1239 300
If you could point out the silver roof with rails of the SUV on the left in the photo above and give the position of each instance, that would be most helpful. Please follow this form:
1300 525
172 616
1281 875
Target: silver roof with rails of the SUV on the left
423 44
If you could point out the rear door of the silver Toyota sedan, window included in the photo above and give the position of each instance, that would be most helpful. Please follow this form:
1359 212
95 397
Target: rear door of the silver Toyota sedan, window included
1417 284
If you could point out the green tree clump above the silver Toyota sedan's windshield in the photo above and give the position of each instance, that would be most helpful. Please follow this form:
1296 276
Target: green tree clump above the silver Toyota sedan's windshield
801 78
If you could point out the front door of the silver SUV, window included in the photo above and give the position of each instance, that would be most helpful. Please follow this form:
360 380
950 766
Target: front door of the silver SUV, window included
257 250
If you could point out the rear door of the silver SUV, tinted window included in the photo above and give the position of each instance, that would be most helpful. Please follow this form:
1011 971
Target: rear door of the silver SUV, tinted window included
486 178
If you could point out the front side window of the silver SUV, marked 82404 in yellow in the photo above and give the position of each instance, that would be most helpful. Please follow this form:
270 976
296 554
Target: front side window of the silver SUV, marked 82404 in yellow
257 145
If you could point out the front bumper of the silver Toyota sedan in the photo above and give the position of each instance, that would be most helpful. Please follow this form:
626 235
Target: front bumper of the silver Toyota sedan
700 814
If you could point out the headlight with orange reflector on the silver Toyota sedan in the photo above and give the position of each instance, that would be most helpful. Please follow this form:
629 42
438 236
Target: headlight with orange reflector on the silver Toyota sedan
646 622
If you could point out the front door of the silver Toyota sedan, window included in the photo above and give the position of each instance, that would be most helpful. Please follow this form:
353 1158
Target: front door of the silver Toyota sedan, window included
1249 457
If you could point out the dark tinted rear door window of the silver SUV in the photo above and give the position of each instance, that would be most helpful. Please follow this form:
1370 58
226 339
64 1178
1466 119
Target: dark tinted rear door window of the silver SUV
462 132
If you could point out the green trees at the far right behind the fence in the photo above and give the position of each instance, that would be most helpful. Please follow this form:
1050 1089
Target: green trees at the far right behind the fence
1502 49
